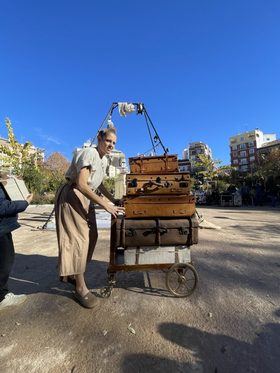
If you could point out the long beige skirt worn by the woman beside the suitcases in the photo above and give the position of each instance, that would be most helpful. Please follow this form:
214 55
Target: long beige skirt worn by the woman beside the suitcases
76 230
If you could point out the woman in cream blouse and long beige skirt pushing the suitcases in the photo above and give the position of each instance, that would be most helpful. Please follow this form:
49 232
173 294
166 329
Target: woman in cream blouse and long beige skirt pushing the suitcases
75 214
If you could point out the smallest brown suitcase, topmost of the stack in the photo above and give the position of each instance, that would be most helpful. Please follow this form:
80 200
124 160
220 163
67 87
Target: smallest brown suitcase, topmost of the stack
156 164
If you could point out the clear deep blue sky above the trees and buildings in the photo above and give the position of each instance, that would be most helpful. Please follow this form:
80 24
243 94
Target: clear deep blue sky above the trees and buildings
206 70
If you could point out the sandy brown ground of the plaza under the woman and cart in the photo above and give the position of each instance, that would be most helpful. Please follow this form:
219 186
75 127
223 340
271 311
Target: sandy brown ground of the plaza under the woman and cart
230 324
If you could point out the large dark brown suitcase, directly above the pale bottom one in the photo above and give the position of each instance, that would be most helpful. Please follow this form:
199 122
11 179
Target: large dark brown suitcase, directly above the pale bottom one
154 232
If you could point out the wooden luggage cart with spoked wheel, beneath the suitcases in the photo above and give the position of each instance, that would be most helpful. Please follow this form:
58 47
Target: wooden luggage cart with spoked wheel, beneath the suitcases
180 277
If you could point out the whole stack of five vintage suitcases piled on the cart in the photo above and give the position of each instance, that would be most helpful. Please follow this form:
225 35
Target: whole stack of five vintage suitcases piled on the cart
159 225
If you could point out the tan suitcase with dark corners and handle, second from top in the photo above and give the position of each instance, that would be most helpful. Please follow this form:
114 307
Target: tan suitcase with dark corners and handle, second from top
143 184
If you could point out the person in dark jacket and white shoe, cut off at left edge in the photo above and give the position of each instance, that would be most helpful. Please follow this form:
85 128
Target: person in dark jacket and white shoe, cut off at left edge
8 222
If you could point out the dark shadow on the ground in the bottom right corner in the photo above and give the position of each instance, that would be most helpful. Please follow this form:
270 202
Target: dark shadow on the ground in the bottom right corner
212 352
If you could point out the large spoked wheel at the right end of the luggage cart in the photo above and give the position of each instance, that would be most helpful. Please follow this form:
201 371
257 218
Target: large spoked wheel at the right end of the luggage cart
181 279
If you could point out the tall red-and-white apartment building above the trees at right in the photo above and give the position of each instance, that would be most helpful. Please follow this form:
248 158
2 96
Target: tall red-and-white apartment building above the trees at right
243 148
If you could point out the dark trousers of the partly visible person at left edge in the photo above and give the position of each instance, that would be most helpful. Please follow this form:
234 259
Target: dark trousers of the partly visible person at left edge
7 255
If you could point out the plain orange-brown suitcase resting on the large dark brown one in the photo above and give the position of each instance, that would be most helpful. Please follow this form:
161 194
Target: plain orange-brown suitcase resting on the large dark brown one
159 206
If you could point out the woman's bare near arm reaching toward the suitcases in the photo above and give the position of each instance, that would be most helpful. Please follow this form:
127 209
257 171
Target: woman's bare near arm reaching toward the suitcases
83 187
